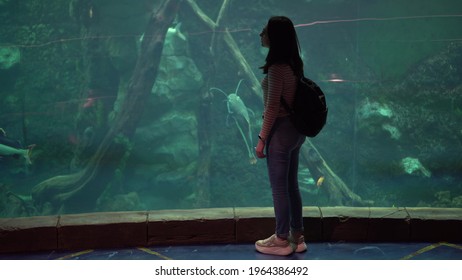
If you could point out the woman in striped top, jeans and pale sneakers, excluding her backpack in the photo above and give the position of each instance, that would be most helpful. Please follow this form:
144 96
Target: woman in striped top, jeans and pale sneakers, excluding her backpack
280 138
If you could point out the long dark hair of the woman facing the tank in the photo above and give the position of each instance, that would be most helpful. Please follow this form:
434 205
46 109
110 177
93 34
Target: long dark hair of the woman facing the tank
283 45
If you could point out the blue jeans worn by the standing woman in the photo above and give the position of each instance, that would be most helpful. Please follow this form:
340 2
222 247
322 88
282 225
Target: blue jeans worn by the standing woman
282 152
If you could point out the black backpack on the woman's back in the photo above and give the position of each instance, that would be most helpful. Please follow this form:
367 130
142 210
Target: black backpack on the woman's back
309 113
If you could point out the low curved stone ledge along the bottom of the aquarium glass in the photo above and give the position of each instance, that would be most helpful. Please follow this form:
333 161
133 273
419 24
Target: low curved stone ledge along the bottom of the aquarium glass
225 225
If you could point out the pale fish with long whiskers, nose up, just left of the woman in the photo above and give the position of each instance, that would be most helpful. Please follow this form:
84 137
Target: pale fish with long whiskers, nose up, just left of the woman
237 109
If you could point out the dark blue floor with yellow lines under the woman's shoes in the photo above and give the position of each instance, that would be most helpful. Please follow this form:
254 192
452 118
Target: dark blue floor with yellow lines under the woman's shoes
316 251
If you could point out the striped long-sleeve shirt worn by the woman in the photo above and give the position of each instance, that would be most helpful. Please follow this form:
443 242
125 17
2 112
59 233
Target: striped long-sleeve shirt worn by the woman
280 80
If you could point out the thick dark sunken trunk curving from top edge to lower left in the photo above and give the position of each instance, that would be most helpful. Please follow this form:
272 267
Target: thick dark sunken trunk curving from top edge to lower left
80 191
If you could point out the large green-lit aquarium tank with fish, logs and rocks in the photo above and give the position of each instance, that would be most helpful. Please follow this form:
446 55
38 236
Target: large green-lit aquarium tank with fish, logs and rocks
122 105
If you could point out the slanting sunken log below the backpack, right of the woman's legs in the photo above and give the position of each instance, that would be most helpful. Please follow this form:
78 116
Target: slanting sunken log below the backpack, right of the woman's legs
338 192
